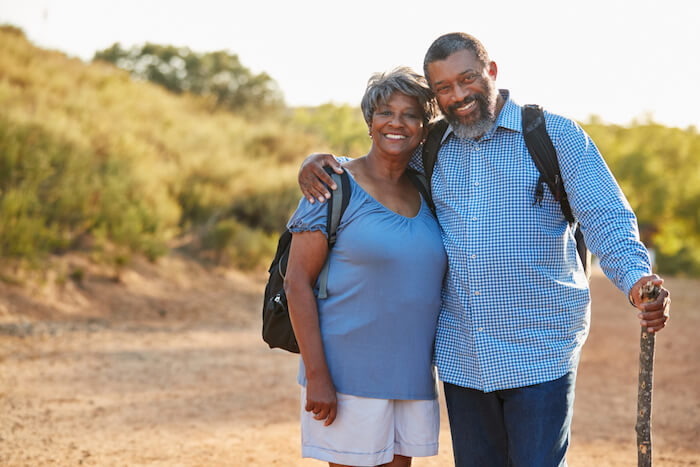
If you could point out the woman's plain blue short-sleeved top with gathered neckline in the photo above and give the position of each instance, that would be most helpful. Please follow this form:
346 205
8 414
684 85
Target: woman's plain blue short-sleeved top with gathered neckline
384 280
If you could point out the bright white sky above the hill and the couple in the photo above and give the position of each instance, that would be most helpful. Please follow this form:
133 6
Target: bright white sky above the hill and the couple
619 59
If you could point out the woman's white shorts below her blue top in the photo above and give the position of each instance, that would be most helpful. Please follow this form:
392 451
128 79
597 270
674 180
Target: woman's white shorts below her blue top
368 432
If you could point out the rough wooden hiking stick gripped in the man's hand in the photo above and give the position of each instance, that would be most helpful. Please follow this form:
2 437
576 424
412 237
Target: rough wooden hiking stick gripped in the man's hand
647 293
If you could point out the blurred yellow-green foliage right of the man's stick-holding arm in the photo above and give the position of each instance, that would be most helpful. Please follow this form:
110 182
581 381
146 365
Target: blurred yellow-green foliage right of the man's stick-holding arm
658 168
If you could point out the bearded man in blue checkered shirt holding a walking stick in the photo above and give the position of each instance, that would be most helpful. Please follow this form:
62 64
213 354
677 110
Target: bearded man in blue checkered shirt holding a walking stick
516 304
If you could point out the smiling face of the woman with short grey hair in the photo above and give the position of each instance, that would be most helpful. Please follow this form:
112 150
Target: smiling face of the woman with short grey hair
397 125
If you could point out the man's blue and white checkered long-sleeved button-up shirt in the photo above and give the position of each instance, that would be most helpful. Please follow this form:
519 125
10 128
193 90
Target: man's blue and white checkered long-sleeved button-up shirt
515 301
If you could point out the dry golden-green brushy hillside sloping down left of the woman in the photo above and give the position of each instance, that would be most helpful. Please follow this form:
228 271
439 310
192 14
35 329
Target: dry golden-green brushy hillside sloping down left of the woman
89 156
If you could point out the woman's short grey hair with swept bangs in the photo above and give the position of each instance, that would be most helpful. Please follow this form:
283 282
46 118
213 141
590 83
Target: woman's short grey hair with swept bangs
381 86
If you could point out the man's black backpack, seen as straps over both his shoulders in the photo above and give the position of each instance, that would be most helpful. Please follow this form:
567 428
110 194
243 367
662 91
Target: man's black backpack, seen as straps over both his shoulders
543 154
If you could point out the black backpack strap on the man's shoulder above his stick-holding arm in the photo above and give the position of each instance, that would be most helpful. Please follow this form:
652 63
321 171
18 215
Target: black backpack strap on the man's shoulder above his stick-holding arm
543 154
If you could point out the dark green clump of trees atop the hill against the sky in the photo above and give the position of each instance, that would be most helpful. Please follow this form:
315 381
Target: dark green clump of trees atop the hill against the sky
217 74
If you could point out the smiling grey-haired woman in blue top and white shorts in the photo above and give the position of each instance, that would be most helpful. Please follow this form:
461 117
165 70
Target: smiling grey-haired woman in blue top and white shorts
369 394
